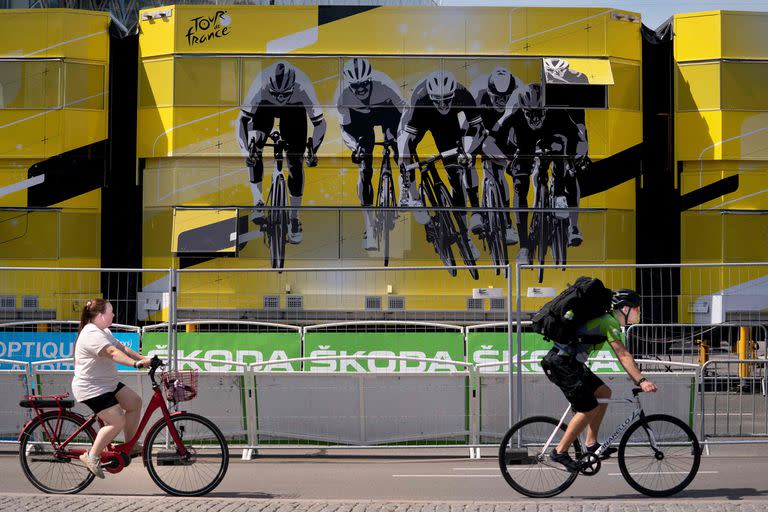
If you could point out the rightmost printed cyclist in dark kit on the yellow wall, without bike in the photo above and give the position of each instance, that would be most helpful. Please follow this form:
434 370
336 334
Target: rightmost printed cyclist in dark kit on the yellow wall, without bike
557 136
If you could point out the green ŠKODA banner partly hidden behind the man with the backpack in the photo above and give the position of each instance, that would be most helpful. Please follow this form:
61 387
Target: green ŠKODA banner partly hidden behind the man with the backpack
492 347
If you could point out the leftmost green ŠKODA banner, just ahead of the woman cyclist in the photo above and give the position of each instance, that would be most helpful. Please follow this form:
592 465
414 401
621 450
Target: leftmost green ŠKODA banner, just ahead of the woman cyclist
240 347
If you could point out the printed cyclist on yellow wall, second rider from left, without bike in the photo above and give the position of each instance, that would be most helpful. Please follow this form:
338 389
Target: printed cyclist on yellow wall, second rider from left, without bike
367 98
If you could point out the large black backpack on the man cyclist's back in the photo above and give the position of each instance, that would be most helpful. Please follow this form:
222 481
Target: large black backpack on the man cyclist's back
587 298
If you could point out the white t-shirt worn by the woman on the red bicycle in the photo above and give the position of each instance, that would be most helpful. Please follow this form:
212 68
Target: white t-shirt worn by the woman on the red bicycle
94 375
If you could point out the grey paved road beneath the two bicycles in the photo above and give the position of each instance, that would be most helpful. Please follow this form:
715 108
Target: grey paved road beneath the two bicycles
730 479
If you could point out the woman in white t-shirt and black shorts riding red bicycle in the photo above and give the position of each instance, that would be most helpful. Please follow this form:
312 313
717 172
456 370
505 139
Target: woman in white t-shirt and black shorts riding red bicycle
96 381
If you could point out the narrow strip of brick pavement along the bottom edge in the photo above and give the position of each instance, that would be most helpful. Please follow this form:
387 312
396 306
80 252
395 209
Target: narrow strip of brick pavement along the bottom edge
91 503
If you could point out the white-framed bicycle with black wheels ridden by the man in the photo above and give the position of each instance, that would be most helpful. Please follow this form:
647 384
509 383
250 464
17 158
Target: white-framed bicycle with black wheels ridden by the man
658 455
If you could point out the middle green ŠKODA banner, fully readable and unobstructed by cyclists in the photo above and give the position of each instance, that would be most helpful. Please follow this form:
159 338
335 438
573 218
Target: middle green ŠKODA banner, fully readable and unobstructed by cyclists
444 347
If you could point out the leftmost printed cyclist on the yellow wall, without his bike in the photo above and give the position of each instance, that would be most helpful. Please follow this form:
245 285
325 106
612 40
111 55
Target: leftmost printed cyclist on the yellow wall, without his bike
284 93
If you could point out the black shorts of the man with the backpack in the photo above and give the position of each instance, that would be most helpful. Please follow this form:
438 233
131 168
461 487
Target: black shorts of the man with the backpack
575 380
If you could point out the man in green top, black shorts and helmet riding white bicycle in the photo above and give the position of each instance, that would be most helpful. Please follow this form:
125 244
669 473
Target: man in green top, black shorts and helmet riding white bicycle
565 366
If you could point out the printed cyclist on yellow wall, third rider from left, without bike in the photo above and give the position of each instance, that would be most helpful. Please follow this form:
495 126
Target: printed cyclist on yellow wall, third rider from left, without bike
448 111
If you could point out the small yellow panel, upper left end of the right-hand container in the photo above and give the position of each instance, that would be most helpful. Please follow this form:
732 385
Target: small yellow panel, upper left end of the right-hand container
697 87
